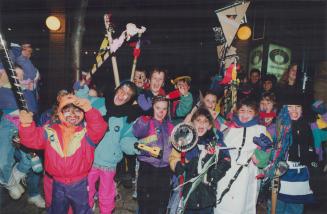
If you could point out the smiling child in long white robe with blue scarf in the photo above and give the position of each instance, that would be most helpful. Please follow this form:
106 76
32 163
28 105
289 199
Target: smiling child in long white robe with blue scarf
252 151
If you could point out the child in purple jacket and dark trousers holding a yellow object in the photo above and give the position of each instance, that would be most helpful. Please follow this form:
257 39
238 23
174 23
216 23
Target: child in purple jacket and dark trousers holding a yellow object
153 185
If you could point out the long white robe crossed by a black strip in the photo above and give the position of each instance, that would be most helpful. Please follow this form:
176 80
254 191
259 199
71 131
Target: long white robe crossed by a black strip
242 197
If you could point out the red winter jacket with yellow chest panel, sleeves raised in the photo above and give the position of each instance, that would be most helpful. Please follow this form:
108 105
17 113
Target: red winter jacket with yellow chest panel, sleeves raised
73 163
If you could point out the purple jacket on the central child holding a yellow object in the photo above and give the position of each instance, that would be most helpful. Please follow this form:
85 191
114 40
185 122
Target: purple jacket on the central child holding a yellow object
148 126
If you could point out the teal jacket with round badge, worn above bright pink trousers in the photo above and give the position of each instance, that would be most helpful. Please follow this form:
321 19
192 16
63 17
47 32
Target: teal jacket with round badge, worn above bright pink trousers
117 140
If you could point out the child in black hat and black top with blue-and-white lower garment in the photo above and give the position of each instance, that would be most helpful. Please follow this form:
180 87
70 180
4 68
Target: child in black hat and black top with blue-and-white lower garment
299 153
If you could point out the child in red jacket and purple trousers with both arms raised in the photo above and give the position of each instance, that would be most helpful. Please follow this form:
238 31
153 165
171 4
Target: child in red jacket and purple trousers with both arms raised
69 150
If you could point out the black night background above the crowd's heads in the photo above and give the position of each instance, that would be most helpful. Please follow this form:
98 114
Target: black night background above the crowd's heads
179 35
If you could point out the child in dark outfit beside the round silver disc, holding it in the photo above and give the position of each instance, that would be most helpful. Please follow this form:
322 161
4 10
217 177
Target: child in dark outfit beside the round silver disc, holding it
203 198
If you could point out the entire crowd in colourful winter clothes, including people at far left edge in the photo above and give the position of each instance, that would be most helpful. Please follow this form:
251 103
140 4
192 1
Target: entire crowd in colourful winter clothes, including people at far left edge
86 143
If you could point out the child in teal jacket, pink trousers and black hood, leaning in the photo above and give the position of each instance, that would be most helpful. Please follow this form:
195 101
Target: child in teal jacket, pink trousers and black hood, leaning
118 139
